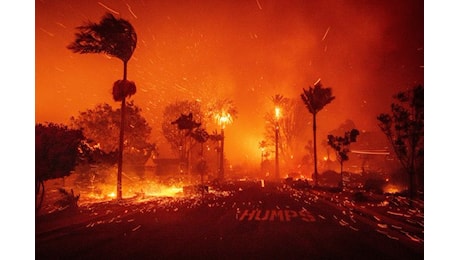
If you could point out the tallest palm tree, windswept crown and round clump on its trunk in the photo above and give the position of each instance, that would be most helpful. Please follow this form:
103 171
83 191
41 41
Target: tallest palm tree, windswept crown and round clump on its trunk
117 38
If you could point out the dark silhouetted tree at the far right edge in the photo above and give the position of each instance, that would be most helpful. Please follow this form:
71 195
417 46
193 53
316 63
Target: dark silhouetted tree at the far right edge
404 128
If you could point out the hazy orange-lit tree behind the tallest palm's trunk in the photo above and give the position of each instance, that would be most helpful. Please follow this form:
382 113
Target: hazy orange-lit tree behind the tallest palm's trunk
101 126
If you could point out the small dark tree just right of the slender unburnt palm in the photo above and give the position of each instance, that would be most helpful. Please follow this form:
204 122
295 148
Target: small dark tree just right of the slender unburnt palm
341 145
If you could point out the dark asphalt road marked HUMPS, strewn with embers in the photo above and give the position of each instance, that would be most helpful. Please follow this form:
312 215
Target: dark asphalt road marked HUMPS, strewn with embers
243 221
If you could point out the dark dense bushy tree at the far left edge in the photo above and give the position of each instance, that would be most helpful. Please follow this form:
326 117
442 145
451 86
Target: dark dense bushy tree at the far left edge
56 154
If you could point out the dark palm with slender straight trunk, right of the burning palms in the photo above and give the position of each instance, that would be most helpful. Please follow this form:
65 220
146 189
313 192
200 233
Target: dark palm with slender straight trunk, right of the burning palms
315 99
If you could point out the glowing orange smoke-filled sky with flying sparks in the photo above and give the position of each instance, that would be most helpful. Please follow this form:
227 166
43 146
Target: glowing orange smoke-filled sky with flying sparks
246 51
